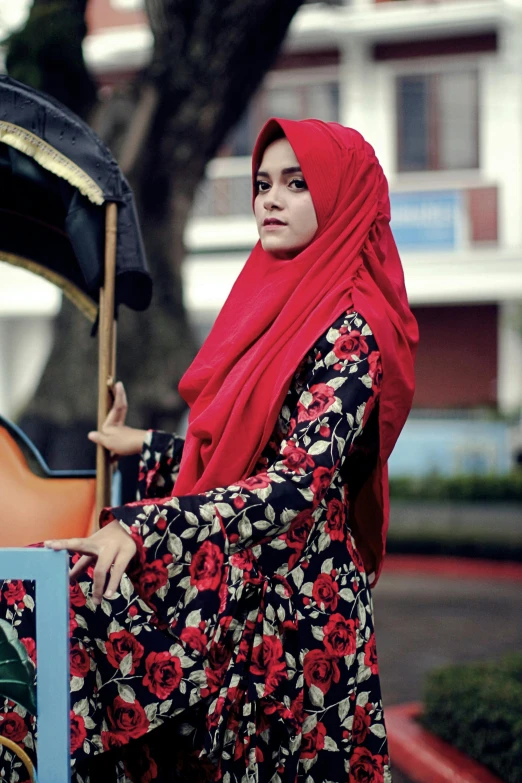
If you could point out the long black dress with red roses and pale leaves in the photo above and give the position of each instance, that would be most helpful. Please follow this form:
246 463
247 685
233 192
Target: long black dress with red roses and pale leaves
240 646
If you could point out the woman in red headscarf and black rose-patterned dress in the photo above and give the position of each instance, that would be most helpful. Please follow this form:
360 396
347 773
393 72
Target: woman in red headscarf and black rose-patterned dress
235 641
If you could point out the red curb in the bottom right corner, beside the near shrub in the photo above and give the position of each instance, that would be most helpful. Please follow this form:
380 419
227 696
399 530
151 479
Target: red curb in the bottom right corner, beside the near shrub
425 758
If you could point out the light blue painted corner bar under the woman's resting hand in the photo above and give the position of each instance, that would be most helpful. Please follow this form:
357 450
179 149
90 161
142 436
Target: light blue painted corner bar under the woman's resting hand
50 571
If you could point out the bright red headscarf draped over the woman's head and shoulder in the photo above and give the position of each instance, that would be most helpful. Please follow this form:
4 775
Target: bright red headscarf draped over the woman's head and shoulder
278 309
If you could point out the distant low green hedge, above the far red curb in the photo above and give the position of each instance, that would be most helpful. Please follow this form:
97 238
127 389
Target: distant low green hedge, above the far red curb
506 487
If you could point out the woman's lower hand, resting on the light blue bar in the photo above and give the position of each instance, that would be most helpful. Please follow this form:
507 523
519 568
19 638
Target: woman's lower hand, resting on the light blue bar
109 547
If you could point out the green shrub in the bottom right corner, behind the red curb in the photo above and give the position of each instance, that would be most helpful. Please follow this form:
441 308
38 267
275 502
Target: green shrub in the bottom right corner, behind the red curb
478 709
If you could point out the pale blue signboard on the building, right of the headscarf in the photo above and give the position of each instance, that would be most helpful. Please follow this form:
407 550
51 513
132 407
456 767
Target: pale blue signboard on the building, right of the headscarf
426 220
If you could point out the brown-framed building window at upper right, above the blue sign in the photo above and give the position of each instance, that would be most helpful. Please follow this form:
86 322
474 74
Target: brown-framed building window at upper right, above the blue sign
437 118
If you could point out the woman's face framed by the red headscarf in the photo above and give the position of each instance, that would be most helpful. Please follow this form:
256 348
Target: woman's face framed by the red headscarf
285 214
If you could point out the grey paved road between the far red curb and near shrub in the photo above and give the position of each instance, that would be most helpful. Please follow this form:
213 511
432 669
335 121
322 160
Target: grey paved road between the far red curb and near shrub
426 621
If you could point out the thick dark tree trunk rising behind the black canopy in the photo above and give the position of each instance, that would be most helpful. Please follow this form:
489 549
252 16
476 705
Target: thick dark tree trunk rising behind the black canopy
208 60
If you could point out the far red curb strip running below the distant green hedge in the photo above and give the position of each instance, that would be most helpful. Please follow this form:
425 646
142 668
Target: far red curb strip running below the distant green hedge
459 567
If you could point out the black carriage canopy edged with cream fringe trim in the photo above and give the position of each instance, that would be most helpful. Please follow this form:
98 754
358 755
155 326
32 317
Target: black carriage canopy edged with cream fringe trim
55 177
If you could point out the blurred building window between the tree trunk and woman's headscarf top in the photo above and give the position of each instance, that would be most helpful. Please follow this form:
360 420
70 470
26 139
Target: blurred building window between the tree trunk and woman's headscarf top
295 102
